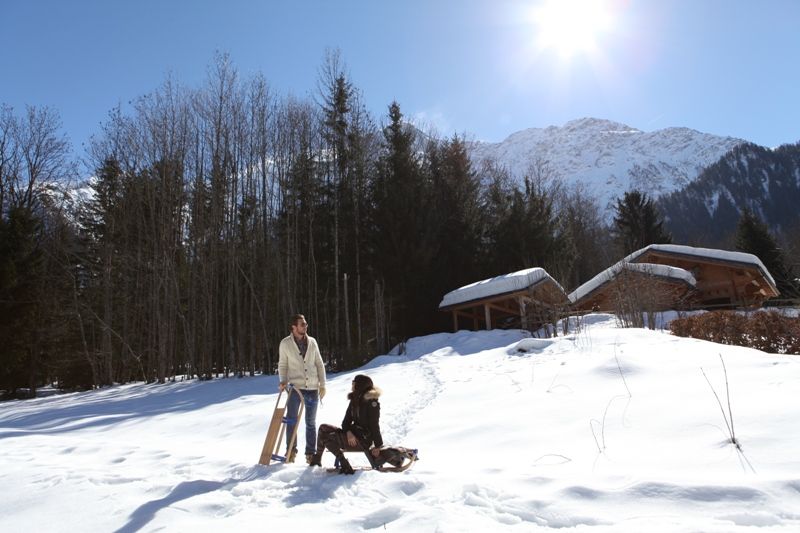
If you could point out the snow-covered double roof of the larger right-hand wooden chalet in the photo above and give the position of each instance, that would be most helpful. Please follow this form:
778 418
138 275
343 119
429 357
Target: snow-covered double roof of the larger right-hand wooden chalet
676 249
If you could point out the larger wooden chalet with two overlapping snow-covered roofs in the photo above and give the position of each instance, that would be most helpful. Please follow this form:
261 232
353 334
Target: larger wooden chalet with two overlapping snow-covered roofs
699 277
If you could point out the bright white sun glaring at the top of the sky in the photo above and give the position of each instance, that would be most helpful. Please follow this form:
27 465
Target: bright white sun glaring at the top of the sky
572 27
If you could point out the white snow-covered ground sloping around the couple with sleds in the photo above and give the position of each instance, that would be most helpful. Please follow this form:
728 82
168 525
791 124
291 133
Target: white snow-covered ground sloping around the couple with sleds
605 429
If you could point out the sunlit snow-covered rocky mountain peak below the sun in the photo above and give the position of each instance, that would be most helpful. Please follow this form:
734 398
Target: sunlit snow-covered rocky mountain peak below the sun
610 158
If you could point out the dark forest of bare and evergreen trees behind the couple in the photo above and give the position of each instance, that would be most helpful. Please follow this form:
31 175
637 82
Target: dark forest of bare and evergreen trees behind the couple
215 213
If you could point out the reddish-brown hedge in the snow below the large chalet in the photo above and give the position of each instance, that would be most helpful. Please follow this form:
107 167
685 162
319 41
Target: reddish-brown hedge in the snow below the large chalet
767 331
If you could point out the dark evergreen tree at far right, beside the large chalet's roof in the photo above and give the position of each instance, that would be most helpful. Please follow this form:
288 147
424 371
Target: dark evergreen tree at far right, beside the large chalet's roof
753 237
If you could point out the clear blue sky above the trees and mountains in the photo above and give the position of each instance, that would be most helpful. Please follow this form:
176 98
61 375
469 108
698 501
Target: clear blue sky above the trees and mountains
726 67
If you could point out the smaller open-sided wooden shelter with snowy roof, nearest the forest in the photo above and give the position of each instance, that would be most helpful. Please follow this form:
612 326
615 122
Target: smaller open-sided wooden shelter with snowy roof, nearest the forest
517 300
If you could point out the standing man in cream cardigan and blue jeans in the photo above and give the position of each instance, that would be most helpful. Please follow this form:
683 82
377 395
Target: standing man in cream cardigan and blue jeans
300 365
